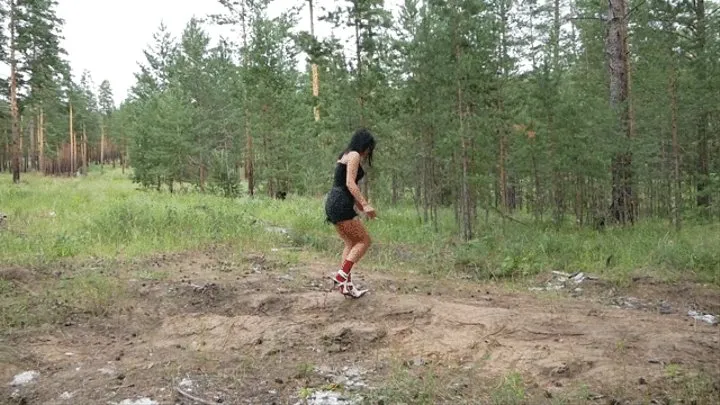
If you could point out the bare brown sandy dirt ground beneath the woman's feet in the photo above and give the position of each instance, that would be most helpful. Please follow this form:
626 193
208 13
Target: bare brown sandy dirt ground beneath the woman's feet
245 327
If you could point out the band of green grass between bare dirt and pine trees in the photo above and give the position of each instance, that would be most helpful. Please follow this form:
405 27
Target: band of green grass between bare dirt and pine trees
105 216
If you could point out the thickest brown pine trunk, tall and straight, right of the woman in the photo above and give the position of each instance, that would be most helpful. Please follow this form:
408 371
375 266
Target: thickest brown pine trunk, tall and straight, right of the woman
622 208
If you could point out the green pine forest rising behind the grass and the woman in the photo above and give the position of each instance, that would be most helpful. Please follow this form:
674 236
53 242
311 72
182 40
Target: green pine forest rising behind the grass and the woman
566 111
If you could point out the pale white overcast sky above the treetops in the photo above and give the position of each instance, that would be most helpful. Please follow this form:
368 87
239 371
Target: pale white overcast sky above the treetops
107 37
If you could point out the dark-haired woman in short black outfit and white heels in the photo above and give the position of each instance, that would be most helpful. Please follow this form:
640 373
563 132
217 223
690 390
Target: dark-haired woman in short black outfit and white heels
343 199
